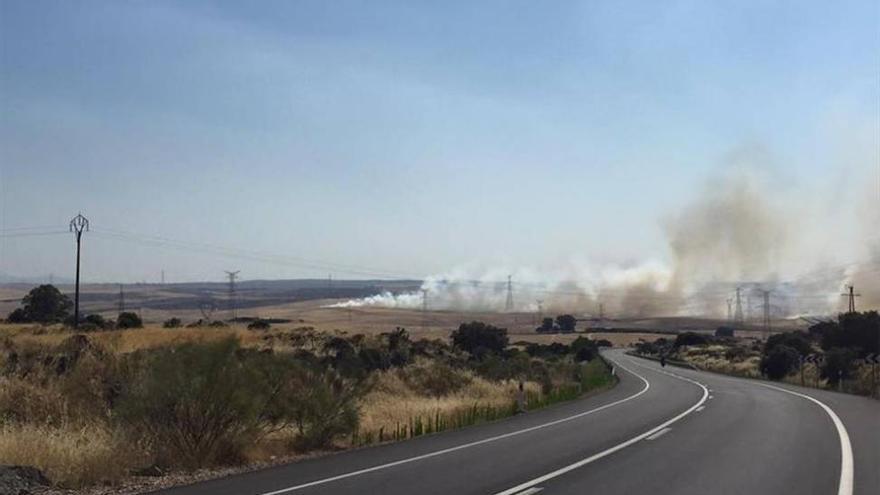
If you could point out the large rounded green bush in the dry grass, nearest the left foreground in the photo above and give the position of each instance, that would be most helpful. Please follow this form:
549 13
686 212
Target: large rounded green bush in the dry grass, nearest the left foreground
196 404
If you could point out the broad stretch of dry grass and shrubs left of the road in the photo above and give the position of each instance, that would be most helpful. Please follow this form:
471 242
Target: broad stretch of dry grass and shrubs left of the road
116 401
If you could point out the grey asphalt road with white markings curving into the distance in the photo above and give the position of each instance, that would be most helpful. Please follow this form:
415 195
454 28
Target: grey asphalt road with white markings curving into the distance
661 430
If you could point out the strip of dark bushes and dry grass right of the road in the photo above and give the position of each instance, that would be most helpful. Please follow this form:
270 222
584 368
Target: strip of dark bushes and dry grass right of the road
828 355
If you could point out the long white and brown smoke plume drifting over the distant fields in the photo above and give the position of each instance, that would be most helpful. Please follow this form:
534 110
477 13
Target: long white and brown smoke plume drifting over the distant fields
739 230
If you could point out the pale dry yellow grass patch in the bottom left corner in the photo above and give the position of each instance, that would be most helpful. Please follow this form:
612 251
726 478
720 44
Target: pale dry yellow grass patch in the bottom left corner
71 457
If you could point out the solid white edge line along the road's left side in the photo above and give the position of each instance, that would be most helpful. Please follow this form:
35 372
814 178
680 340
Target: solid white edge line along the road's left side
466 445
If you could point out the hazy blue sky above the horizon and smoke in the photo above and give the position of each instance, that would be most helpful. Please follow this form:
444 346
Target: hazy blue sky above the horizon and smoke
407 138
